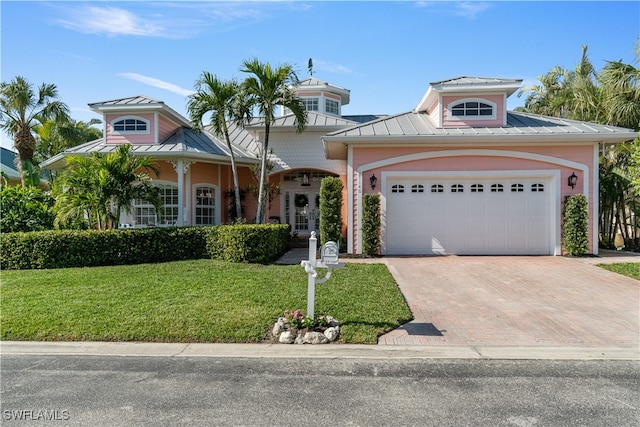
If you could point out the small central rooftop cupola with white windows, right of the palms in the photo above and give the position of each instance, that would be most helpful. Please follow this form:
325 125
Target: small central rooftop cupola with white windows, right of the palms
321 97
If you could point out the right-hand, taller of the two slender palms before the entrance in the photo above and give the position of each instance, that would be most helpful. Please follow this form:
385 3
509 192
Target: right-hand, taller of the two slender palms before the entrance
265 89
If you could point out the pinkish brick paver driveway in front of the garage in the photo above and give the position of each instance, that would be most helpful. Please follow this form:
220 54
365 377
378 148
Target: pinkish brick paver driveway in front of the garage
515 301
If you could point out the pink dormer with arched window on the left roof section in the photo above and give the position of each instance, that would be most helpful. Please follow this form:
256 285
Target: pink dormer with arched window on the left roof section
137 120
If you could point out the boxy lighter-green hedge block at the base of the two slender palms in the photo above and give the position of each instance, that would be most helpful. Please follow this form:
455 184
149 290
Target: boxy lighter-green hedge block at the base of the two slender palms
252 243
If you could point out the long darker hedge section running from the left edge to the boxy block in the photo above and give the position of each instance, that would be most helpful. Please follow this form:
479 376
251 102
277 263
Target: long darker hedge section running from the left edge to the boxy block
89 248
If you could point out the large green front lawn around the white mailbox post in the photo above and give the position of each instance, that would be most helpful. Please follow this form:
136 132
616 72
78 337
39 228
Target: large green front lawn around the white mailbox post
191 301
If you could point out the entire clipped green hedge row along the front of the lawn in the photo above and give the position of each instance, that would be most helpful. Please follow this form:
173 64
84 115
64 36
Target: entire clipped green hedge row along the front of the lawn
89 248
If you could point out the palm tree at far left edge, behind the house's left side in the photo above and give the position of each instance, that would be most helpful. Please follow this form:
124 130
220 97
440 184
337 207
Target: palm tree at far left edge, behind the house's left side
21 108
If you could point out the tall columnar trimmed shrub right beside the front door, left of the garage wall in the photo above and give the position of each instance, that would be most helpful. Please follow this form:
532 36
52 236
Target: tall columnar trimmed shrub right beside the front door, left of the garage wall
330 210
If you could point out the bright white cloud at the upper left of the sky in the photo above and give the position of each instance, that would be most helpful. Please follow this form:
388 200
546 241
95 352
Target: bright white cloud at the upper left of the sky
111 21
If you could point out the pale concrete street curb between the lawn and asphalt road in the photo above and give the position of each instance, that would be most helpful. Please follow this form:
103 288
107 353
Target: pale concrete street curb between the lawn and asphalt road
331 351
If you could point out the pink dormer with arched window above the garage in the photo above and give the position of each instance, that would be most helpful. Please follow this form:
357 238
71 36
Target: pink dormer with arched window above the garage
468 101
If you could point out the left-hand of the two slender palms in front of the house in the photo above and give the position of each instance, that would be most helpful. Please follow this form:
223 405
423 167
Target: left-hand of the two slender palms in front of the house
221 99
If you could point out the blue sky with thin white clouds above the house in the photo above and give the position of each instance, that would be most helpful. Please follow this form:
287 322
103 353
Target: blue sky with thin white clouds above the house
385 52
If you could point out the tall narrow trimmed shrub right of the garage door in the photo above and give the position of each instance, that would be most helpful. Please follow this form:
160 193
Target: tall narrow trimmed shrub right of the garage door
575 229
